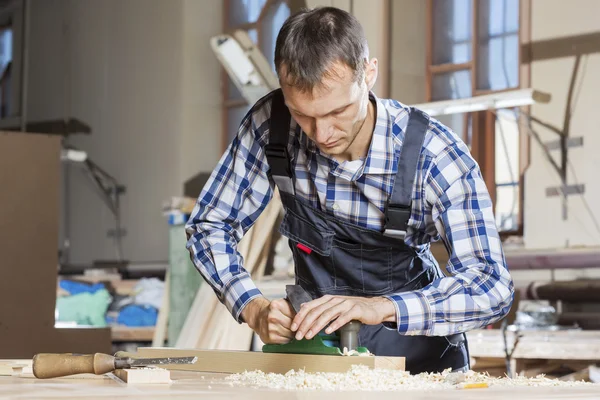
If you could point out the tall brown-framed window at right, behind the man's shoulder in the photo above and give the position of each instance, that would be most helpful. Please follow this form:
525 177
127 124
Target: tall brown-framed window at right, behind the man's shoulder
473 49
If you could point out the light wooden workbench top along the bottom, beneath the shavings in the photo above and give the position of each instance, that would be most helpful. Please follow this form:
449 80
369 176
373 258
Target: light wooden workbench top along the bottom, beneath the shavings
194 385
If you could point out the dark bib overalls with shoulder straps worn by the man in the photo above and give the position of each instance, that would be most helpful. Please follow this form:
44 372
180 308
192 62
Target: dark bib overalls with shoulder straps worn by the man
340 258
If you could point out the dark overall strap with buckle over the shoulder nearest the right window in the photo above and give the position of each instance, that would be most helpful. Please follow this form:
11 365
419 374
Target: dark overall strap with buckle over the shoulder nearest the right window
399 205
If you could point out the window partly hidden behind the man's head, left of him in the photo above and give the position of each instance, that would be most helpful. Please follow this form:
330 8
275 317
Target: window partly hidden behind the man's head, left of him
262 19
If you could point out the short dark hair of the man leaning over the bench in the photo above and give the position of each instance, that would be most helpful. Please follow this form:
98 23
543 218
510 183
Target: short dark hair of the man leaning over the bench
311 40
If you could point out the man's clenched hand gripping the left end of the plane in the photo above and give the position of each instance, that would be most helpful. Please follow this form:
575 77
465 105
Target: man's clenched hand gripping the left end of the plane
271 320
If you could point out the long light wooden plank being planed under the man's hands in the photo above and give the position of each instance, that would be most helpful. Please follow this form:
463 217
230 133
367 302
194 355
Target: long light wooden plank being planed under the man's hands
239 361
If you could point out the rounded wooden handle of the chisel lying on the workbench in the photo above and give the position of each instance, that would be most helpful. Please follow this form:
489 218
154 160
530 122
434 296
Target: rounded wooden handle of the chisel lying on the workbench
48 365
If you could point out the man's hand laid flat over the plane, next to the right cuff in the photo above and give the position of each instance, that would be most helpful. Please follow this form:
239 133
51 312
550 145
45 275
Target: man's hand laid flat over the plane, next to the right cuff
315 315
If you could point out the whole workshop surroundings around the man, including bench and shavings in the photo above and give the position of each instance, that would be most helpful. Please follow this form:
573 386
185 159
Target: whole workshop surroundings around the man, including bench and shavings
115 113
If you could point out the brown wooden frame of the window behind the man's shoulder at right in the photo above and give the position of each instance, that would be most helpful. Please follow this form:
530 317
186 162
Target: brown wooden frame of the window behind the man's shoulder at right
483 122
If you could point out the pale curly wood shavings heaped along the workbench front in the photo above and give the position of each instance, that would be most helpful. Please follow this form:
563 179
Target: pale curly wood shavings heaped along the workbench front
363 378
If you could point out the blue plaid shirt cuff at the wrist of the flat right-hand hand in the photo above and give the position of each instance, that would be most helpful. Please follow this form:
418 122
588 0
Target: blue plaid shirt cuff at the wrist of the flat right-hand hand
413 313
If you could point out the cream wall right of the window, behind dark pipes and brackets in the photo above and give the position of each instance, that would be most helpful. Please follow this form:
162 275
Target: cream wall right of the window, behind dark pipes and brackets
544 226
